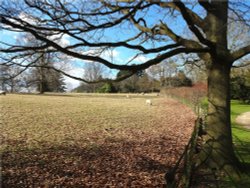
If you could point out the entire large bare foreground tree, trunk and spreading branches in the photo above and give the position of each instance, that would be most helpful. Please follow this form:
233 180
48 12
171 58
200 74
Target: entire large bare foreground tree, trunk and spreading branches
150 31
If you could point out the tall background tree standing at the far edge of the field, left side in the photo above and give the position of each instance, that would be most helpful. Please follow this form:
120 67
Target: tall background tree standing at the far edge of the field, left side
43 79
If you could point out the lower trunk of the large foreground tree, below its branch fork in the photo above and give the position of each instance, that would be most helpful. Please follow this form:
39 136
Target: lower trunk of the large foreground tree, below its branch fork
219 146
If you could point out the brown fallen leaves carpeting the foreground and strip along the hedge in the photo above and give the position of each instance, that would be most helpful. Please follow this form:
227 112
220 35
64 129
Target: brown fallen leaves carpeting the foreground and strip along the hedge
120 156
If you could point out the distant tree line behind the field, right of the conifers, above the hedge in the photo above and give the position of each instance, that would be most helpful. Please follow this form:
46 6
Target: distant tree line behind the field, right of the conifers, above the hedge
151 80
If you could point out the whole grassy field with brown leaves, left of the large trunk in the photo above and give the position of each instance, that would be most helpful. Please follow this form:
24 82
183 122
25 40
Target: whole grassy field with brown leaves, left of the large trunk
90 140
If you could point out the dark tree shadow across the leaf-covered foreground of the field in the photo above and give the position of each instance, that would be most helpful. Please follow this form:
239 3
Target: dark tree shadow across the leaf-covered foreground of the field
119 164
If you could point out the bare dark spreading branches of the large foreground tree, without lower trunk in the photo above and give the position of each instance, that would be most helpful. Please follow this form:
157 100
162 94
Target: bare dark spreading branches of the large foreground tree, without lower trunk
90 26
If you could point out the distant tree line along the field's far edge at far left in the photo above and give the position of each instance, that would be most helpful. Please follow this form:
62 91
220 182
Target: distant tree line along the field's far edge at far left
38 78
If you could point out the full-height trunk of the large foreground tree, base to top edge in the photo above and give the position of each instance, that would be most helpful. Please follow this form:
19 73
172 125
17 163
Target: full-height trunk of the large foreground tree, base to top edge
218 148
